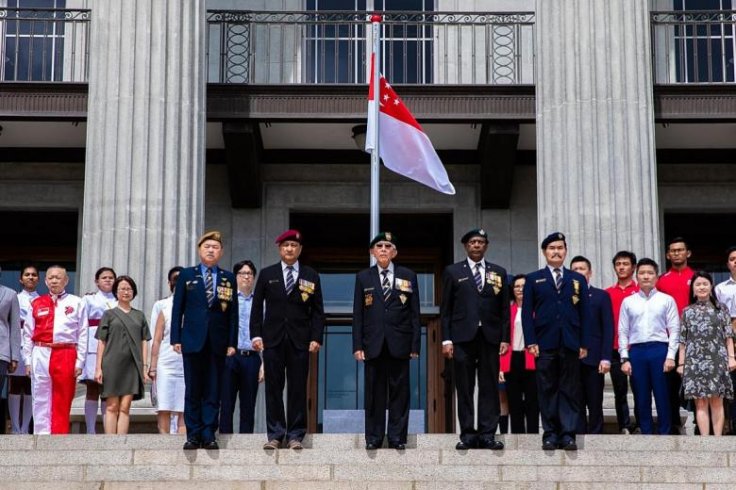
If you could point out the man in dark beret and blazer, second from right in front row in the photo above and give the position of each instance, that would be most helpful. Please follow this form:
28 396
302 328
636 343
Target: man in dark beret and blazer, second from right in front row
475 330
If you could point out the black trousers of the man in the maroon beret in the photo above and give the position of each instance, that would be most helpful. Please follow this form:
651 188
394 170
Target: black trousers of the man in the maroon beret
284 363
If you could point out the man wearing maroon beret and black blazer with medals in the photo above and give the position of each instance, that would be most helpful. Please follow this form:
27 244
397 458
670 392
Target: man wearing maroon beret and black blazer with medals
287 333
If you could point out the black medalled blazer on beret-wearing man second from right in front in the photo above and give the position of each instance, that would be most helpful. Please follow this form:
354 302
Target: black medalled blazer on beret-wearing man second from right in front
463 307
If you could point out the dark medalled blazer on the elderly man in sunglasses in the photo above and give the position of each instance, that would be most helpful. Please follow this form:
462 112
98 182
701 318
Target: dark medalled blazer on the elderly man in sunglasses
395 321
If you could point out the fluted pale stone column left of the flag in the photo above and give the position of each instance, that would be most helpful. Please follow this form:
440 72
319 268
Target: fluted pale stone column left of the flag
144 176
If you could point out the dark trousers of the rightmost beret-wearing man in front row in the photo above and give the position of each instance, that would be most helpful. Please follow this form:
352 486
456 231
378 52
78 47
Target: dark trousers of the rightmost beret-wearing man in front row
558 383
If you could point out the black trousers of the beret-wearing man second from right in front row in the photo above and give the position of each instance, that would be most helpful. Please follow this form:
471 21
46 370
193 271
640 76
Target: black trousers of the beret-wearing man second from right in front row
480 358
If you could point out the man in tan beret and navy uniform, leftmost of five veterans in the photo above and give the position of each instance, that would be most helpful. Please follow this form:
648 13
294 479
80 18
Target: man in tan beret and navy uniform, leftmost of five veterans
204 329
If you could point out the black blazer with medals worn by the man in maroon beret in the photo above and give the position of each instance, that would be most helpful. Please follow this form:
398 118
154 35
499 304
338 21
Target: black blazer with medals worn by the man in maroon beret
300 315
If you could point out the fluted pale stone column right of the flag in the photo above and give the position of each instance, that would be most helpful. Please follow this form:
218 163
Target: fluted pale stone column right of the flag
596 162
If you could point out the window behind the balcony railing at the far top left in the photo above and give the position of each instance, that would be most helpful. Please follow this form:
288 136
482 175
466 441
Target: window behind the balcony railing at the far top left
34 41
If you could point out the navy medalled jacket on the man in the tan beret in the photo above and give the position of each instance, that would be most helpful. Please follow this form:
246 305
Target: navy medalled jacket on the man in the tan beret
193 321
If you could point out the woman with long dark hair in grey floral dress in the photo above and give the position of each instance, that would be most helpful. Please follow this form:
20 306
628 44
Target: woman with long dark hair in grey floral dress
706 354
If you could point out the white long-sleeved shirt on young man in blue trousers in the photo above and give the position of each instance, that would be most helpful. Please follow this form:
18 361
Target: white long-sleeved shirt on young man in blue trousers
648 318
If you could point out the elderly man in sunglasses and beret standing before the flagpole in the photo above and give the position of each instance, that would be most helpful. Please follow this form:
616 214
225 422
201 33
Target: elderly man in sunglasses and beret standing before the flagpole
386 334
